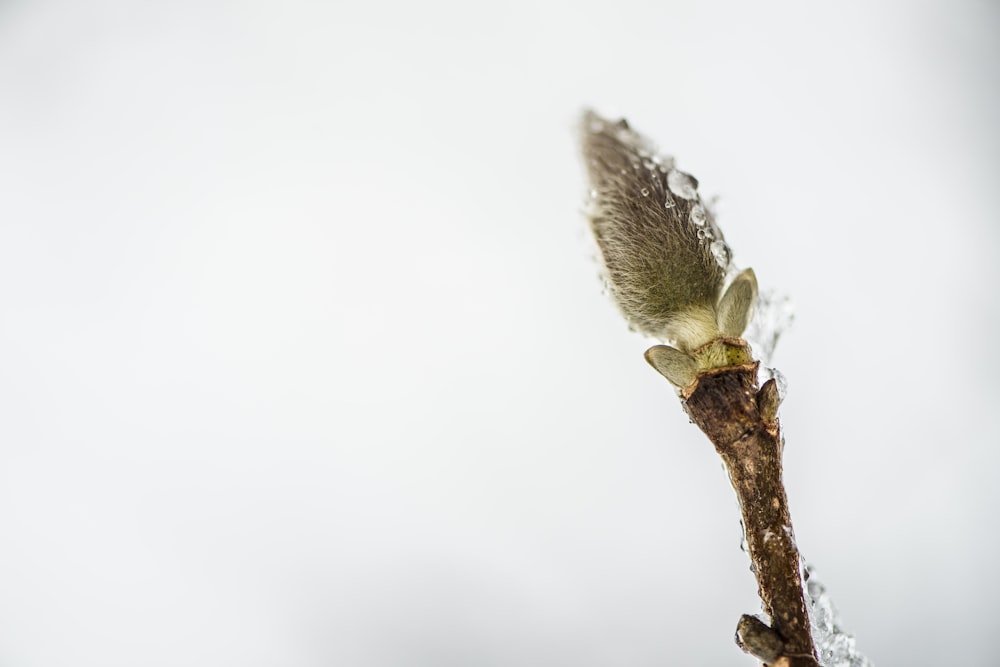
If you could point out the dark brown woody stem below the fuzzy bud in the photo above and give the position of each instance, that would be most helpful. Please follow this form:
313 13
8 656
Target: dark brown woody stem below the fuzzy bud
741 421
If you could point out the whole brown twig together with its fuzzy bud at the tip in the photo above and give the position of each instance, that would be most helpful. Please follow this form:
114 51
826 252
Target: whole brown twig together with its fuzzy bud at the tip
667 265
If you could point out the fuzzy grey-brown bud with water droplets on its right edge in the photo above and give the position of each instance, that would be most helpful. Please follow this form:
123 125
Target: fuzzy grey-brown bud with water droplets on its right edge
664 257
